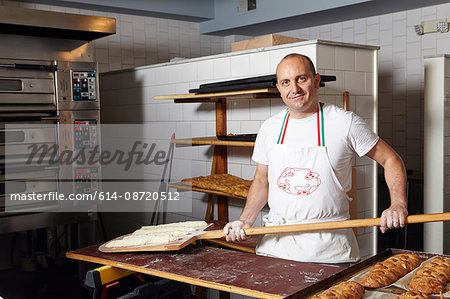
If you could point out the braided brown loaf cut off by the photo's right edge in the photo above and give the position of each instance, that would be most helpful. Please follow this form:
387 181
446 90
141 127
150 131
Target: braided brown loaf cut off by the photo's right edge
433 278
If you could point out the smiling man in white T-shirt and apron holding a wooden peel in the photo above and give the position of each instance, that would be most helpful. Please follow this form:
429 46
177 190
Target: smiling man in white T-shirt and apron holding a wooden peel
304 155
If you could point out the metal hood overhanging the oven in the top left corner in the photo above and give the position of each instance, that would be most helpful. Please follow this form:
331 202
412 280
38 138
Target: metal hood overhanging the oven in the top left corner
32 22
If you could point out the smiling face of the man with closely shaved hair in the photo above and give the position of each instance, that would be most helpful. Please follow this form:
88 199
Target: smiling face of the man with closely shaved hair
298 86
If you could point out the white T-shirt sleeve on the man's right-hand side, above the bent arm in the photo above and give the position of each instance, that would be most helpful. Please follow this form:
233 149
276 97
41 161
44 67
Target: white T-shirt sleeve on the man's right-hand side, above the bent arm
361 136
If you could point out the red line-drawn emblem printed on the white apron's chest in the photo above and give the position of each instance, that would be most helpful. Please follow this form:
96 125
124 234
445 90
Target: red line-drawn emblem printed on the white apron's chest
298 181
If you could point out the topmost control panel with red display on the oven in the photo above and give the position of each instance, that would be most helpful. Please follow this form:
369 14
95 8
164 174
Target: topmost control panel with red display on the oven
84 86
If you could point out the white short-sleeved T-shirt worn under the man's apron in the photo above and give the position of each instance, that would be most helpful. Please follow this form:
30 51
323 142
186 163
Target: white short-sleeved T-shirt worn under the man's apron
345 134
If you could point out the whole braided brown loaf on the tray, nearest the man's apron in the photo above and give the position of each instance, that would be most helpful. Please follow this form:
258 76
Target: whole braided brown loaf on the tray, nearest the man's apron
390 270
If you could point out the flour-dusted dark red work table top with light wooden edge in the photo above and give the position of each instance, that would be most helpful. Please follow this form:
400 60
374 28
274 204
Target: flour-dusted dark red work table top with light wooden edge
216 268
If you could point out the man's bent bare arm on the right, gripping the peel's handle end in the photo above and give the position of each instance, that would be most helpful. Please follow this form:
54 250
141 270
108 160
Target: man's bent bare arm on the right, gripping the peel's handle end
395 176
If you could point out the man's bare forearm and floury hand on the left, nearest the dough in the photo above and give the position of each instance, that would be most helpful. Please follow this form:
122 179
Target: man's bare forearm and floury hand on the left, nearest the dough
256 199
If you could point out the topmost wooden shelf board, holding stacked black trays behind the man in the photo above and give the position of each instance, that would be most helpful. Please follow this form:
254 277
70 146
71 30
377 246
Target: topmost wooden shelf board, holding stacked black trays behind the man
186 98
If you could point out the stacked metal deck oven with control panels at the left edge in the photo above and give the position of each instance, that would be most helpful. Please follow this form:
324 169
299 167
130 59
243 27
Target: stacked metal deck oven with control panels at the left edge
53 105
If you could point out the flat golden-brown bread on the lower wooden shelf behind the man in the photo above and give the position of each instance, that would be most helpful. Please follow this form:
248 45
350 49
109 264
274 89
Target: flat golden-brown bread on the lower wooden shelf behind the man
224 182
